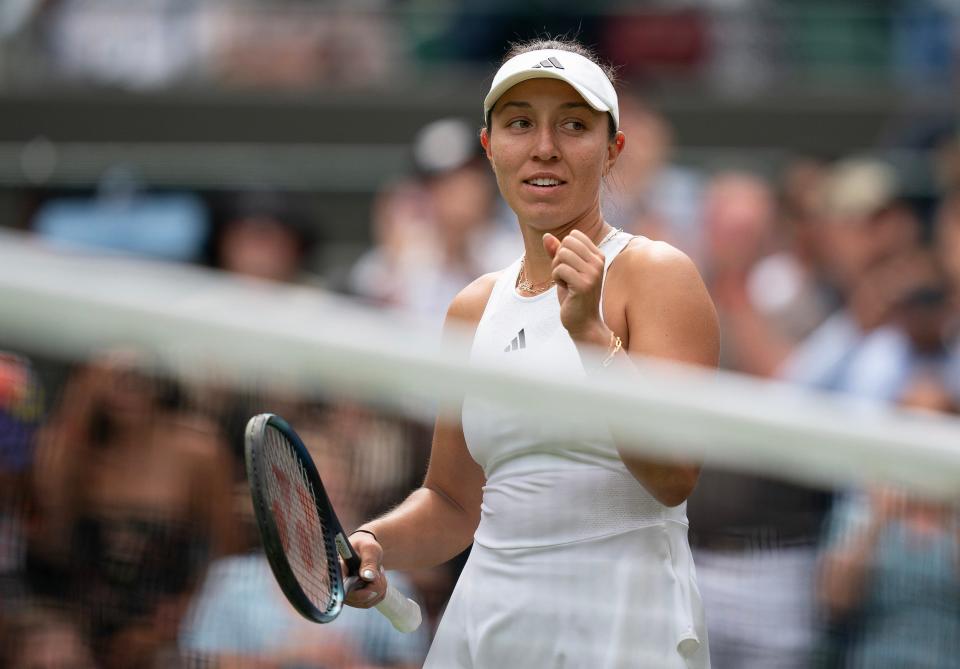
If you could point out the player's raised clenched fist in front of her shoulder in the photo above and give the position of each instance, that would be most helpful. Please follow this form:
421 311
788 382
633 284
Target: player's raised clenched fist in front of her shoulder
578 271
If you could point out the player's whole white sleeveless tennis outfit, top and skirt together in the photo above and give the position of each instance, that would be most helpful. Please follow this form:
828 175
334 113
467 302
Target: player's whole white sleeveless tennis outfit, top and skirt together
574 563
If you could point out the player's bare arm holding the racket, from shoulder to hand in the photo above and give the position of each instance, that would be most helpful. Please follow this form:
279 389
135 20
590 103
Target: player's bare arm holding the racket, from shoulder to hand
437 521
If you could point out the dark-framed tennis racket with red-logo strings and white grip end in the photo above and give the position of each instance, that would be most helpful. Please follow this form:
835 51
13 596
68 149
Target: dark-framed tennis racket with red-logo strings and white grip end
300 531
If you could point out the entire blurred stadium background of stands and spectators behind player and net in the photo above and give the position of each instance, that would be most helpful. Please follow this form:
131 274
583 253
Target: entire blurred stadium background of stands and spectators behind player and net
806 154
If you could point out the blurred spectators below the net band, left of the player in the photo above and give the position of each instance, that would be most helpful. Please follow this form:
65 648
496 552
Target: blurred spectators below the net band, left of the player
127 536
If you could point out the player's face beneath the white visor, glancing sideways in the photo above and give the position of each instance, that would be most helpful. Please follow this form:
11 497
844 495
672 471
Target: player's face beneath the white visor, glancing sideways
549 150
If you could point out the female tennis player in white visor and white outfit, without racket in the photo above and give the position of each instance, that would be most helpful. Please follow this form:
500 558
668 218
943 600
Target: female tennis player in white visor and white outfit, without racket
580 554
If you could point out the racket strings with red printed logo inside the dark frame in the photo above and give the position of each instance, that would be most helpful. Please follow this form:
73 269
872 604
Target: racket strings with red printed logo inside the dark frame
293 504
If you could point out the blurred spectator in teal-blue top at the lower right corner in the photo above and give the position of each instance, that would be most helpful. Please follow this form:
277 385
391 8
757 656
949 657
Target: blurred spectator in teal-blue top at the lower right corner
889 579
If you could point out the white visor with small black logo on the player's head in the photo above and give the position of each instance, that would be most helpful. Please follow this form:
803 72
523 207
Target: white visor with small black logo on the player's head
583 74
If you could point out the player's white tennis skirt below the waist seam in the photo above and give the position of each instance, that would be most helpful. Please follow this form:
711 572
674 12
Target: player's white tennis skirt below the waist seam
626 600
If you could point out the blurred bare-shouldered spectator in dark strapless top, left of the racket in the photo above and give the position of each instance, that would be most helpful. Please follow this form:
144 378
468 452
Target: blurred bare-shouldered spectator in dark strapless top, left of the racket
133 501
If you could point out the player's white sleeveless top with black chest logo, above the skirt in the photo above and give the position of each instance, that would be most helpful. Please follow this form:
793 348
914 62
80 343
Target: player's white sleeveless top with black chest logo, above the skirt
546 485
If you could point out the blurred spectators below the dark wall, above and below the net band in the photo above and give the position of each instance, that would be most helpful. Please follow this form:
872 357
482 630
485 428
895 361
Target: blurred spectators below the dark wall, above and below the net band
126 537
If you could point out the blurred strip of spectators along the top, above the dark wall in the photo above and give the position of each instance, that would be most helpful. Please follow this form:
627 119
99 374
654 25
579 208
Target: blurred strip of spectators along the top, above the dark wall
739 45
